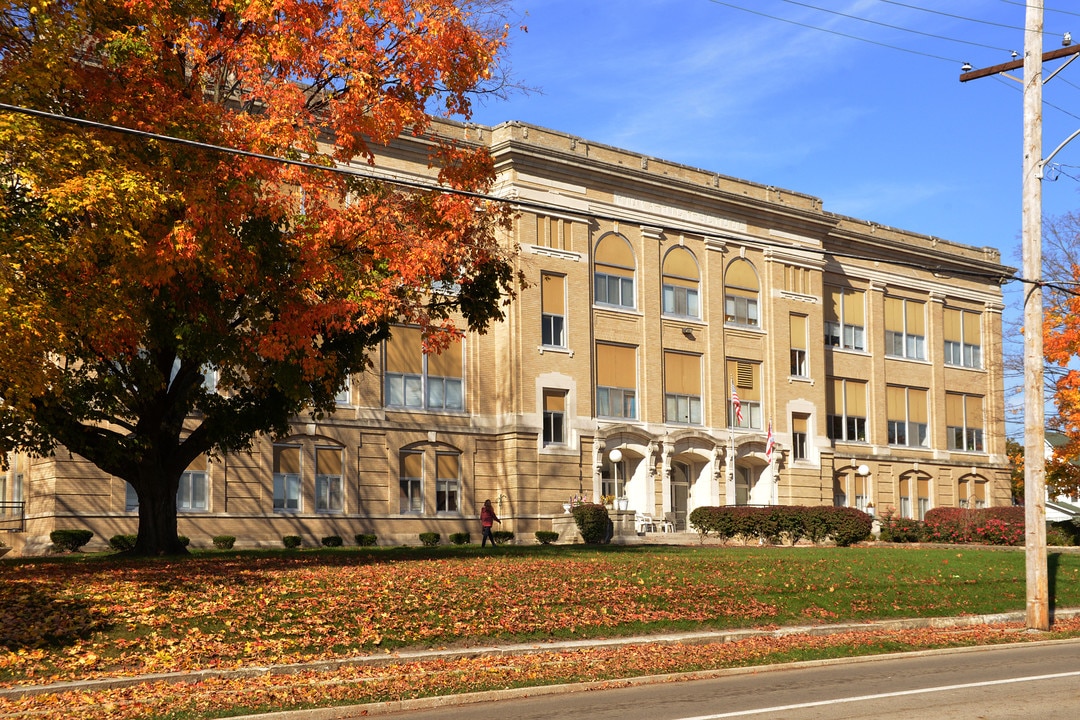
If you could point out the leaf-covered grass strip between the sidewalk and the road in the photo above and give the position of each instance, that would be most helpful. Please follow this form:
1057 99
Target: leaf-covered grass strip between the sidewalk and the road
360 685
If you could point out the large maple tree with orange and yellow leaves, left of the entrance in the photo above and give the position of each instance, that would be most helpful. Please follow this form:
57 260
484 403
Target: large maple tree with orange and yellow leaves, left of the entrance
137 270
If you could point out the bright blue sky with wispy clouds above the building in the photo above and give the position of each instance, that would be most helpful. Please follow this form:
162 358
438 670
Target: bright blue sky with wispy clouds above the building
881 132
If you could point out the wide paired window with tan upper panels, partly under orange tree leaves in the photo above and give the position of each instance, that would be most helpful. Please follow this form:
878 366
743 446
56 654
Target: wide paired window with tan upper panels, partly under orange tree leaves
417 381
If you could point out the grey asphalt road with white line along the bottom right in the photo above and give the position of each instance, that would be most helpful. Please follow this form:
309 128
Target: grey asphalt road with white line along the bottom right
1027 682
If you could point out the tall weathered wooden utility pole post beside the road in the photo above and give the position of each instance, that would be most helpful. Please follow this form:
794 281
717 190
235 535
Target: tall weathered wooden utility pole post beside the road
1035 468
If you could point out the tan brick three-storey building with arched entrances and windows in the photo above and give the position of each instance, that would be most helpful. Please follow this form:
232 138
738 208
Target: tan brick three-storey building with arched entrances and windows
657 293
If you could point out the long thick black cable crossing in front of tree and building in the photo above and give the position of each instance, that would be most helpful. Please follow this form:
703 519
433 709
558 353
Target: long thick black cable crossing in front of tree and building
525 205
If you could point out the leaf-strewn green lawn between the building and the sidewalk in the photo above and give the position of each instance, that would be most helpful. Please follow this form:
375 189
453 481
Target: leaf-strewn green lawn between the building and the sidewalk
84 617
